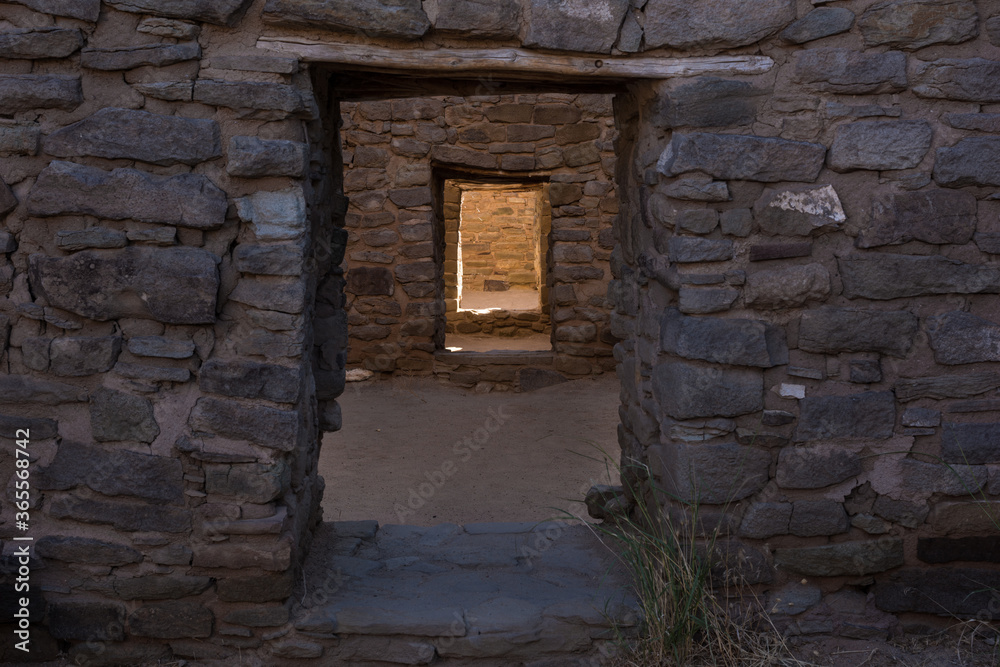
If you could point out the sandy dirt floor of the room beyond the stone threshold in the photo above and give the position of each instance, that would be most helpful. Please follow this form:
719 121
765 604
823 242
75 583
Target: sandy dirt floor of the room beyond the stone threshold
416 451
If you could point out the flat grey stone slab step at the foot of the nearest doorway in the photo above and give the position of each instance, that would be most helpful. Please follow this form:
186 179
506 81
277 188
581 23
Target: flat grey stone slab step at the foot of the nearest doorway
487 593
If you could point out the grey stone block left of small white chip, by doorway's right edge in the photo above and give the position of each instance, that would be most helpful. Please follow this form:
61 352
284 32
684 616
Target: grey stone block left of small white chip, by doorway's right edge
688 391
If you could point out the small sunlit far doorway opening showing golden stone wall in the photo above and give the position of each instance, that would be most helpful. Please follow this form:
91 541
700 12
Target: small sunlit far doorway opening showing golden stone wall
495 273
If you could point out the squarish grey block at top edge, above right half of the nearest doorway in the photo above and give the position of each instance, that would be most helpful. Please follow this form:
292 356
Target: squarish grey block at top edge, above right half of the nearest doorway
574 25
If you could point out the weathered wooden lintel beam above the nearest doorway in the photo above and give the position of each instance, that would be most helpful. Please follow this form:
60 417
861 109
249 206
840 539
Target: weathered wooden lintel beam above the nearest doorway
444 62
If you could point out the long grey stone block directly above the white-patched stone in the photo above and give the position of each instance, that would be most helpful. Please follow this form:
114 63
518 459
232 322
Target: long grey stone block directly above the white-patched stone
742 157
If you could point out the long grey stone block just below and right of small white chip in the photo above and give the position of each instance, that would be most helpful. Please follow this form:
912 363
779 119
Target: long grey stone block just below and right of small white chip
871 414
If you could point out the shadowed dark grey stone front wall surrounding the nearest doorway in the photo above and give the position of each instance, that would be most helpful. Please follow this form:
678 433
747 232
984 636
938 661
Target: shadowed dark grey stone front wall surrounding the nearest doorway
805 284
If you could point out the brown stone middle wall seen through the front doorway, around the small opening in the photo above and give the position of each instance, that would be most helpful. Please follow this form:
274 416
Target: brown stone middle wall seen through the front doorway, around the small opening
396 306
